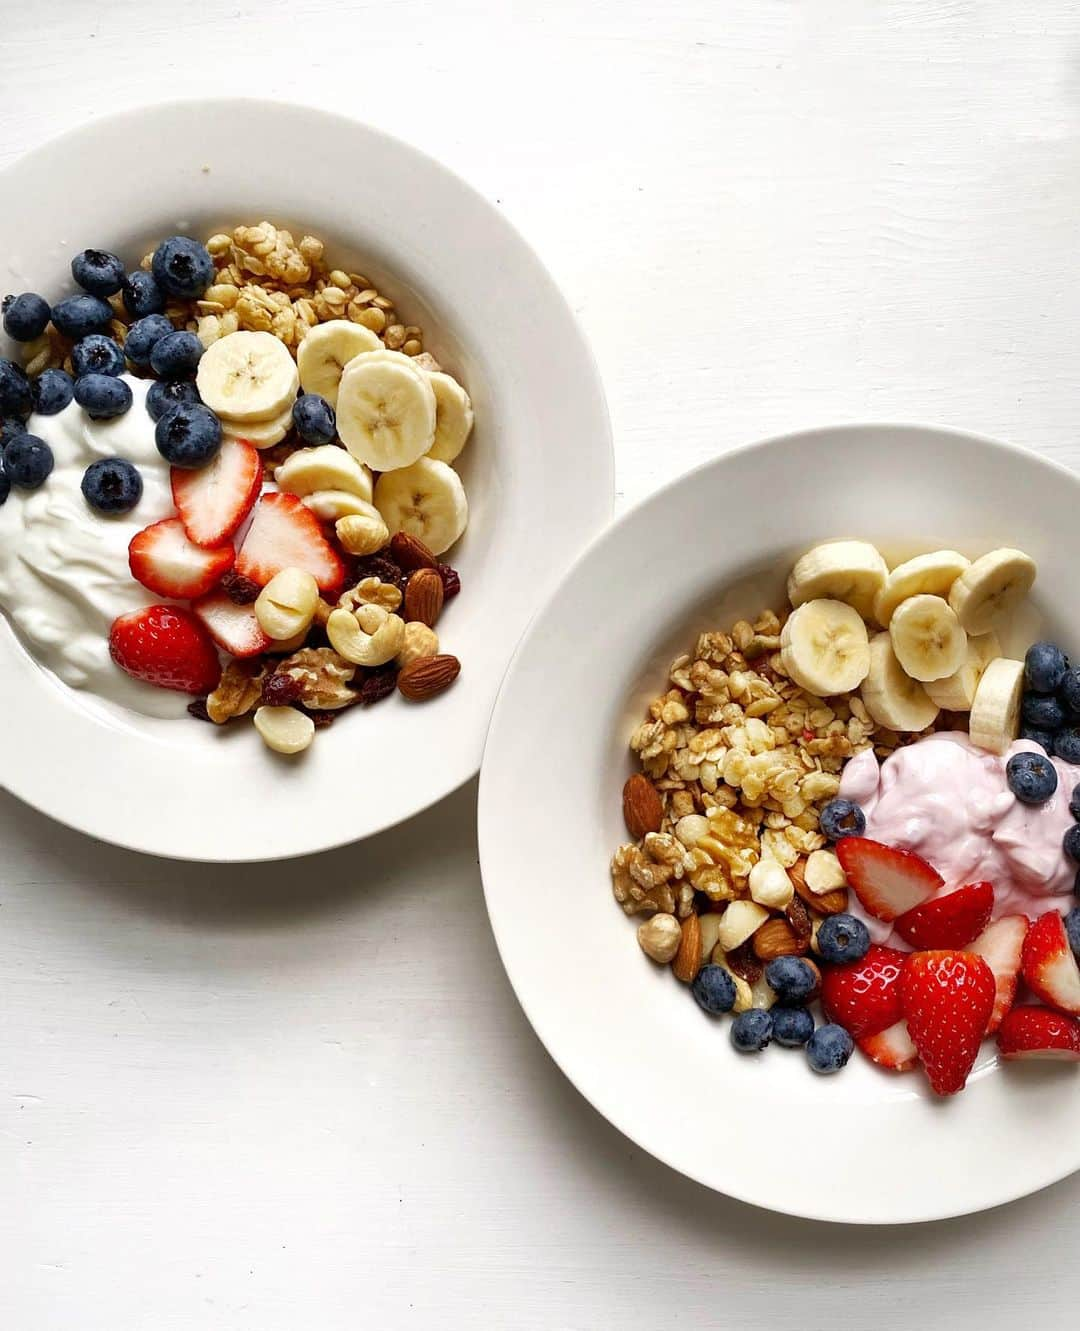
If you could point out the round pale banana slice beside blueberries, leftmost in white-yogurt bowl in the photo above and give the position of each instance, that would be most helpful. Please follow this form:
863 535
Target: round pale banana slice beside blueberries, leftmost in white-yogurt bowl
247 377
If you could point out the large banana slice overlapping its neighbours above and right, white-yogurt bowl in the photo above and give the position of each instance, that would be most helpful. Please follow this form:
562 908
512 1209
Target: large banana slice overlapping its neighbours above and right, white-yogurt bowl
386 411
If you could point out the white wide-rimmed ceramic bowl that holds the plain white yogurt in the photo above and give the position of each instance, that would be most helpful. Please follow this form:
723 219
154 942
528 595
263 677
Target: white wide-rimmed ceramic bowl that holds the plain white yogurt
491 313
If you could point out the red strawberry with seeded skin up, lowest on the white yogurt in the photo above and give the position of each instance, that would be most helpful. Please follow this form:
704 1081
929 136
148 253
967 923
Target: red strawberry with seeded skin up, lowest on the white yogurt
166 646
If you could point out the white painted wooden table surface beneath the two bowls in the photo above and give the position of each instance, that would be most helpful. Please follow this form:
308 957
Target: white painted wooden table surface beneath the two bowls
304 1096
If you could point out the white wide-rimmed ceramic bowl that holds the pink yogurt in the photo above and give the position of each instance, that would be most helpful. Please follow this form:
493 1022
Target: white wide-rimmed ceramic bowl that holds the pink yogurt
862 1147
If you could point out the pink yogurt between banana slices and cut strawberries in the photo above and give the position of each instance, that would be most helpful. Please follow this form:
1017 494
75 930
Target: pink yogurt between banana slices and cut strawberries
949 802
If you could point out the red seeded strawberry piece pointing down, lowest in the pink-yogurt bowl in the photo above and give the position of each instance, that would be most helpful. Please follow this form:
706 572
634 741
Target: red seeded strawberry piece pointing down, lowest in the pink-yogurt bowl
947 1000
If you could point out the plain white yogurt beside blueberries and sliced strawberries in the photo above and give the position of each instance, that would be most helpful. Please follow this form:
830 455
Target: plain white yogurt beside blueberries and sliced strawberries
65 573
